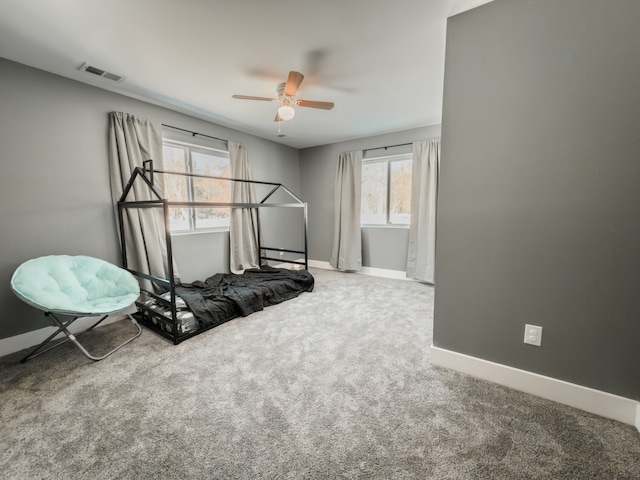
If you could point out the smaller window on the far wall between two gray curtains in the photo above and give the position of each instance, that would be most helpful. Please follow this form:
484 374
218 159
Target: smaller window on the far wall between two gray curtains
386 190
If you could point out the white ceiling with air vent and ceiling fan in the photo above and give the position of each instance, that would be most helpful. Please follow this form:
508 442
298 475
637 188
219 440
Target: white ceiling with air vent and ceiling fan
381 62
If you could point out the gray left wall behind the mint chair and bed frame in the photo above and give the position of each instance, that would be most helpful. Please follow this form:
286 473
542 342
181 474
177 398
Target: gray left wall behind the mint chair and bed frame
54 187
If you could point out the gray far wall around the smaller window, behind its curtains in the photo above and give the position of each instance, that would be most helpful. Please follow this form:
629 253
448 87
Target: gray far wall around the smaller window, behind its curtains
382 247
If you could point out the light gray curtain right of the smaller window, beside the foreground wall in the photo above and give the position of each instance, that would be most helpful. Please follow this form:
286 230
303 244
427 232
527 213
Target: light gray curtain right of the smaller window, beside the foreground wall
424 191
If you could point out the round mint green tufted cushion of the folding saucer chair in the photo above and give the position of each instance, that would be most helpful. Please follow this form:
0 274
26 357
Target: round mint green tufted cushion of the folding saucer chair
75 285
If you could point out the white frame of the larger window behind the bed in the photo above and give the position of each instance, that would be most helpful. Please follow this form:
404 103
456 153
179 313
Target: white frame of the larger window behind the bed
189 168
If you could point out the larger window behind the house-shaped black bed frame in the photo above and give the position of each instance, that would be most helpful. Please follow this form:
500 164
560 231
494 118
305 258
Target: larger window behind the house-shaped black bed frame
184 157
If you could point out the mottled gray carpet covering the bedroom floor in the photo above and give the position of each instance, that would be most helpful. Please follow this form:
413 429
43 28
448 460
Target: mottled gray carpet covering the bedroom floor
335 384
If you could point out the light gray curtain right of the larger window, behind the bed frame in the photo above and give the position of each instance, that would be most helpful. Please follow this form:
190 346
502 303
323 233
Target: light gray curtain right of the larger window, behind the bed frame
243 228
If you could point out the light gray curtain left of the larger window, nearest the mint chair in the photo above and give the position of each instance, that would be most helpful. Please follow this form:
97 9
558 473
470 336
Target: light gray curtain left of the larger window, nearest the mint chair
133 140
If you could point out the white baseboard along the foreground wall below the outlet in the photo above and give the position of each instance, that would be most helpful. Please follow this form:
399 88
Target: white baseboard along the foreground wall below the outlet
601 403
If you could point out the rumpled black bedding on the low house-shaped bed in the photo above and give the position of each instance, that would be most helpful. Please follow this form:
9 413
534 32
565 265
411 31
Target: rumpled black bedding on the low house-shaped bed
224 296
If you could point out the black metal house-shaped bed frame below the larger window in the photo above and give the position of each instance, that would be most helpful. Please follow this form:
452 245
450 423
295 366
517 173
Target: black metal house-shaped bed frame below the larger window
146 175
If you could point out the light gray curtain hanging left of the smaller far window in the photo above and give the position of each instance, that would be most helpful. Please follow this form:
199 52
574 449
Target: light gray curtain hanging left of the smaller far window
347 238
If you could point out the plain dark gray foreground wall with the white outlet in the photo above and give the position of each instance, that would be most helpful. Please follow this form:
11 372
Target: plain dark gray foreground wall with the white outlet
538 216
